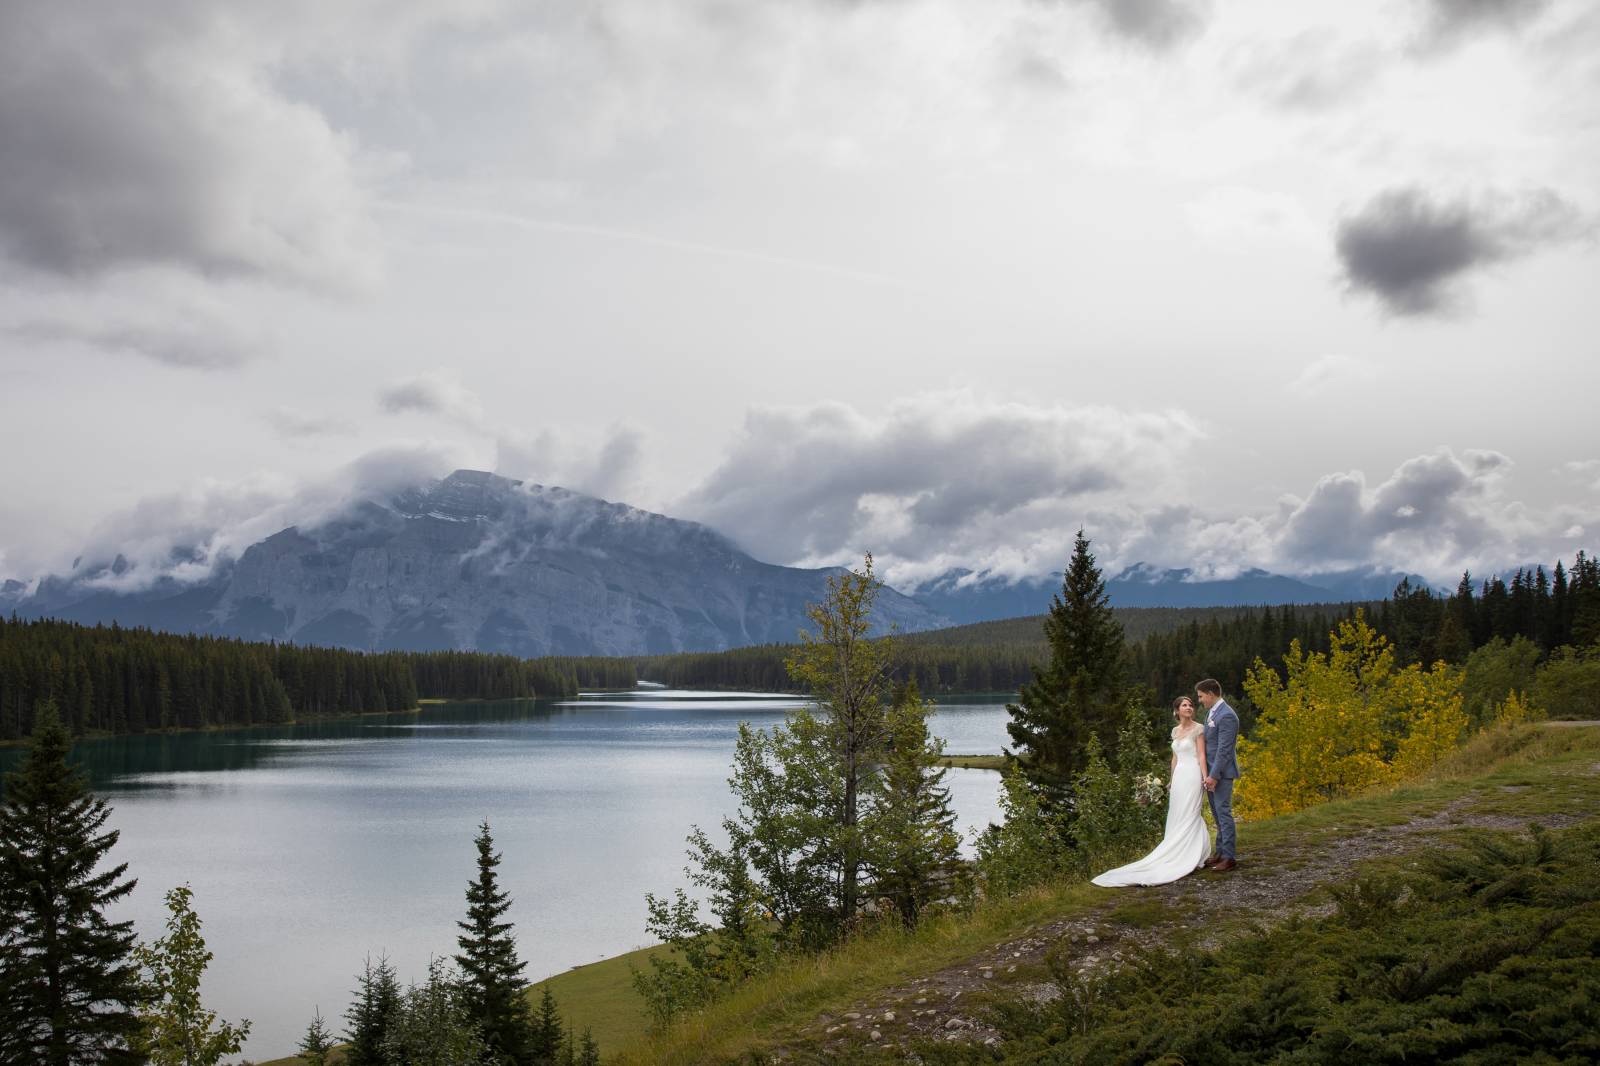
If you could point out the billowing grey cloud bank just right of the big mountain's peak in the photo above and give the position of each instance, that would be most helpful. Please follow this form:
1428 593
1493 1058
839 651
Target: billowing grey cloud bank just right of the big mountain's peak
935 481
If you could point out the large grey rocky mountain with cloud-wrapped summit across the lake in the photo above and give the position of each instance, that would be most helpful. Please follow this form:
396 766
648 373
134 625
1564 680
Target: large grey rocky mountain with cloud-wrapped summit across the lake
484 563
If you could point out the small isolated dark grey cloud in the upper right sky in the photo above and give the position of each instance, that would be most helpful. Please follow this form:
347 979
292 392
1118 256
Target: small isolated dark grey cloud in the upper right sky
1412 252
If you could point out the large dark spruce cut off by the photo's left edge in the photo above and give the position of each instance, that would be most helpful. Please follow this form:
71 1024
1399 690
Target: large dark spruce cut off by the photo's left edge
70 985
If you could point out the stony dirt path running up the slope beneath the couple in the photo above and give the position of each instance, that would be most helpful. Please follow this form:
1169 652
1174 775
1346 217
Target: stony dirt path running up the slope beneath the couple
948 1004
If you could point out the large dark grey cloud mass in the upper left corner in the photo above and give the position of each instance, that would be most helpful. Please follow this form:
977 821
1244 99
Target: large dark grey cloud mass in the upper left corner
137 138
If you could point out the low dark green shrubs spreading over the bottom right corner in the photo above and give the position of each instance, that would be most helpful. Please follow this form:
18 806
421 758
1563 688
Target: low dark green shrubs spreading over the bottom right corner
1486 953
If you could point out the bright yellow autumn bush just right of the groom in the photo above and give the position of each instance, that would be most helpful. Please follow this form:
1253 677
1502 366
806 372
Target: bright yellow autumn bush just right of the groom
1343 723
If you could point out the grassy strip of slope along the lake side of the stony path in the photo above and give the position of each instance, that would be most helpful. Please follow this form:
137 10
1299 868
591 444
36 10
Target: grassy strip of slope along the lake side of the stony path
1542 772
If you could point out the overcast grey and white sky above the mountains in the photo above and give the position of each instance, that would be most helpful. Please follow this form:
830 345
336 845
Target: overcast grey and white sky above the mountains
1297 286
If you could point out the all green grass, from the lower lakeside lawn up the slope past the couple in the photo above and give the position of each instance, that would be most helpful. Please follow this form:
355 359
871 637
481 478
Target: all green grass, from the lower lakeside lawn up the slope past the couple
1553 769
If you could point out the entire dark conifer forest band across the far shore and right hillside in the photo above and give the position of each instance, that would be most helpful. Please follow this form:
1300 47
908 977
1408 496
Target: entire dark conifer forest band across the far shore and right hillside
134 681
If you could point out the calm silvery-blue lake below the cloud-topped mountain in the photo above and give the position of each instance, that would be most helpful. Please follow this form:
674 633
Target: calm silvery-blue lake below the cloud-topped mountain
311 846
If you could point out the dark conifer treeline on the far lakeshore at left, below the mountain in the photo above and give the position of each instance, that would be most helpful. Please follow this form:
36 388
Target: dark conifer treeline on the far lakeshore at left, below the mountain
108 679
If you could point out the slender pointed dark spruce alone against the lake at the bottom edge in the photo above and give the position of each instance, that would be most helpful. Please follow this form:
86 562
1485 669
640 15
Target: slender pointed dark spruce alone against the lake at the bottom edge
490 969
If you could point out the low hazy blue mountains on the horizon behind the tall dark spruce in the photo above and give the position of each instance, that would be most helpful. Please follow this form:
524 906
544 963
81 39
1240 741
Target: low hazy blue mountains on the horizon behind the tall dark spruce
966 598
